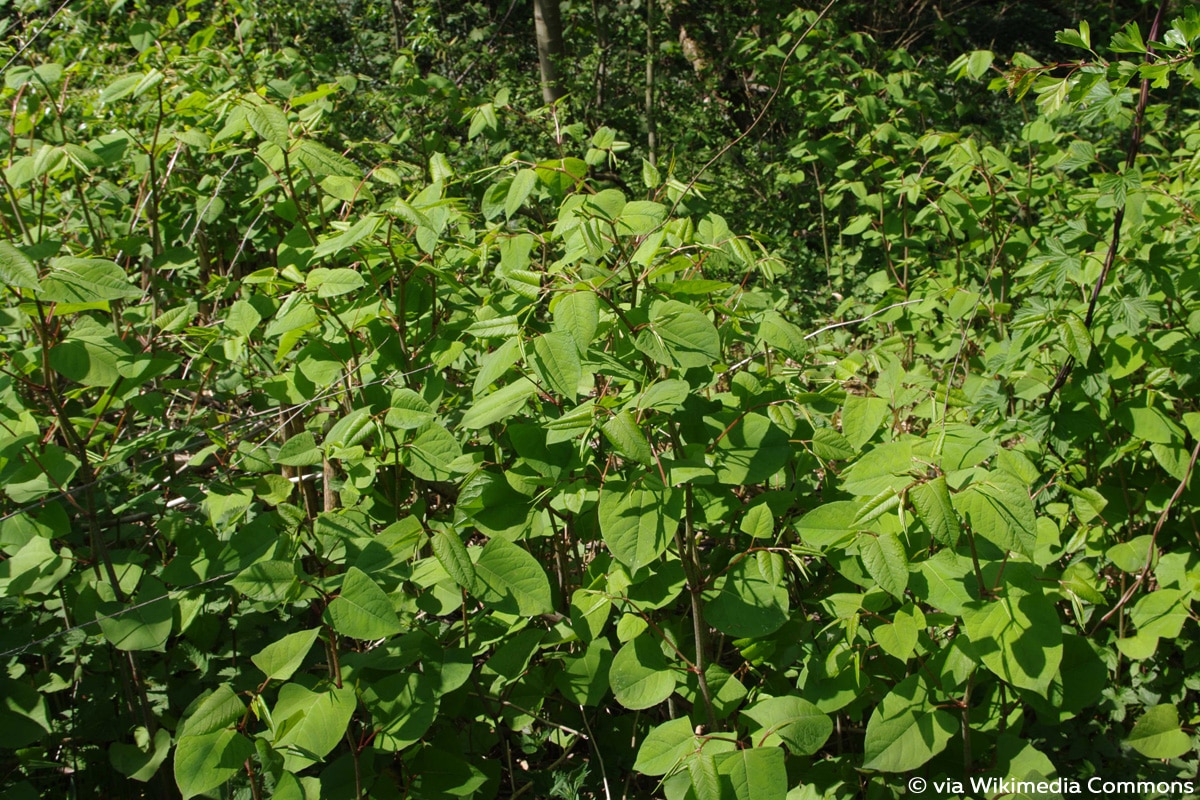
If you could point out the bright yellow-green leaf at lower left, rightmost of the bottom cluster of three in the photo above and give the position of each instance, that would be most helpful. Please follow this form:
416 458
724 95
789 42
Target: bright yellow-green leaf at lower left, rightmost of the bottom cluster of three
309 725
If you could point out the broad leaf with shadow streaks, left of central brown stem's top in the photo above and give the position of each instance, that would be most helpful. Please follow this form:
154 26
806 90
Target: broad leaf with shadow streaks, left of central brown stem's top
638 524
